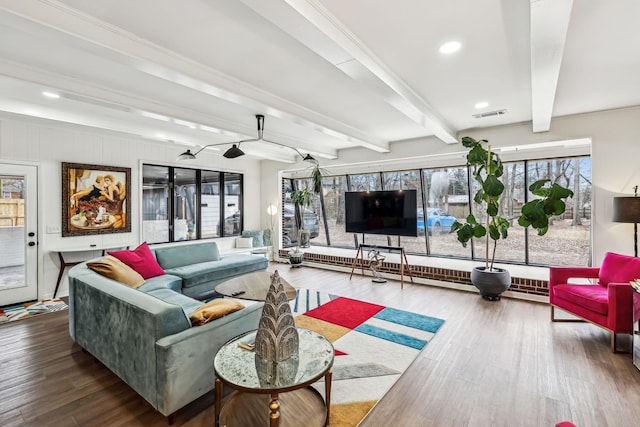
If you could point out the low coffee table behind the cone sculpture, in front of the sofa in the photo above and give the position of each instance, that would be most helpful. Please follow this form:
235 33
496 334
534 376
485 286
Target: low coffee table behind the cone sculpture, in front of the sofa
252 286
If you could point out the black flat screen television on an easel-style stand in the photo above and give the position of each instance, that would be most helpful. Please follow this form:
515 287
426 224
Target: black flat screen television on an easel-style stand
392 213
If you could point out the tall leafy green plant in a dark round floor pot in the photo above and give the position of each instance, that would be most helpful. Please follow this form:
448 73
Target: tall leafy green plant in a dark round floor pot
486 169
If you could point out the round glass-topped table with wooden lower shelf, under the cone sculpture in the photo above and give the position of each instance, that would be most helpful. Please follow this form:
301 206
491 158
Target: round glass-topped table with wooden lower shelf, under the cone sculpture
277 392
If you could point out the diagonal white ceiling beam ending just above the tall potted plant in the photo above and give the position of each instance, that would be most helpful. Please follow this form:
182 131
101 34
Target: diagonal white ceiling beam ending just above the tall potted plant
404 98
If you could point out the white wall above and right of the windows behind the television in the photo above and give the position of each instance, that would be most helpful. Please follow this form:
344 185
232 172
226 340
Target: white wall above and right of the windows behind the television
615 151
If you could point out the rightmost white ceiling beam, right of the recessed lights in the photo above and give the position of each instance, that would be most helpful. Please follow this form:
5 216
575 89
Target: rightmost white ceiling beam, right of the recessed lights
549 26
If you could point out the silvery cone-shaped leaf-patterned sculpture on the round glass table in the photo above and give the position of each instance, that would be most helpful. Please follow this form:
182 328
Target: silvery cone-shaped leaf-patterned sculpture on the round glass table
277 336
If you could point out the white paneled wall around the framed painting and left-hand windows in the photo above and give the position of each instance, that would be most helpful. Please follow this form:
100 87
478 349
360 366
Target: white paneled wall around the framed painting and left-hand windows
47 144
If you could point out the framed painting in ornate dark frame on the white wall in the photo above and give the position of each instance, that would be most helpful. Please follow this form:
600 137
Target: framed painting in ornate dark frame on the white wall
95 199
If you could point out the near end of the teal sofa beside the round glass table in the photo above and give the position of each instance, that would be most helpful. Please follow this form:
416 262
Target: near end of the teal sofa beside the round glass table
185 360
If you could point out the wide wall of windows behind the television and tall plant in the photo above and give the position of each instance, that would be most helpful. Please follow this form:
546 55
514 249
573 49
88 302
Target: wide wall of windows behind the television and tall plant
445 195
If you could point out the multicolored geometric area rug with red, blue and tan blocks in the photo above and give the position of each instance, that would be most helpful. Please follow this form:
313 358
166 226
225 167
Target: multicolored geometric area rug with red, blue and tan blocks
373 346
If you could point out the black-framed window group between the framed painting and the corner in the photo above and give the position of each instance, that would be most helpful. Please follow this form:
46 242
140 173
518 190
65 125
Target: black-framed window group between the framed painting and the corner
187 204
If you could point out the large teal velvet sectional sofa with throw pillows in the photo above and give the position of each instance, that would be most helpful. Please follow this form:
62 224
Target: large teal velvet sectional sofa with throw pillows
144 335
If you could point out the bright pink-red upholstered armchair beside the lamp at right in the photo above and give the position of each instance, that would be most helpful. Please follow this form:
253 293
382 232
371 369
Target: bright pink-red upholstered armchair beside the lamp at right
606 303
